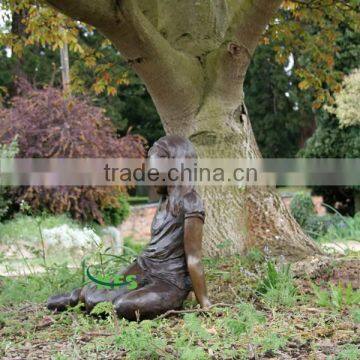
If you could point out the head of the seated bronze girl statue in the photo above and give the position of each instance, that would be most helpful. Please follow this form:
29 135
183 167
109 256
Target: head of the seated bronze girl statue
172 147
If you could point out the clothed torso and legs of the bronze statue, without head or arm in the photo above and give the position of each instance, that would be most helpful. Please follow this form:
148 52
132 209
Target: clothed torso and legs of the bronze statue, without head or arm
161 270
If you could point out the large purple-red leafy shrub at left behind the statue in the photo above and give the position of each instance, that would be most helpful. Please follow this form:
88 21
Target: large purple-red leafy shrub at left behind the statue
49 125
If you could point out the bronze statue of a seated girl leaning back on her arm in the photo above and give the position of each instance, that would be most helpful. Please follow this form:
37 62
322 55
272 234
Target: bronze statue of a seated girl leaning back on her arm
170 266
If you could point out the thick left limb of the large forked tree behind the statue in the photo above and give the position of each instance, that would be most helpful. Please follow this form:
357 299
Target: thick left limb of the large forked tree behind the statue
173 78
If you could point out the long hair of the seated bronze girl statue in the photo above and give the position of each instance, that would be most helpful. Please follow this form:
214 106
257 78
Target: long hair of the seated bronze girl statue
175 147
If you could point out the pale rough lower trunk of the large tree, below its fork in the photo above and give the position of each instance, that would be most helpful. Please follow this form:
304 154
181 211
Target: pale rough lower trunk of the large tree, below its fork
239 219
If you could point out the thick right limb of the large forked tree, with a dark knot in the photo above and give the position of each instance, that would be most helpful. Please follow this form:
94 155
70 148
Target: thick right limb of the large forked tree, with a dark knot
248 21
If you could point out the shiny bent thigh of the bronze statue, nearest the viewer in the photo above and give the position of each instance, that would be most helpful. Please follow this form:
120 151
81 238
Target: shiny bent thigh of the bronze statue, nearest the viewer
149 301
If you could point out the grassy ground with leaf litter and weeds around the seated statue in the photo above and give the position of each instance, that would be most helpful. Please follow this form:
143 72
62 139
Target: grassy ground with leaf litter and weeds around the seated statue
256 325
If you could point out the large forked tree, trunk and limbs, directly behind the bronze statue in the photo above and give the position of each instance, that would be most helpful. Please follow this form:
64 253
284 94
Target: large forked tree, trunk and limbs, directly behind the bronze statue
193 57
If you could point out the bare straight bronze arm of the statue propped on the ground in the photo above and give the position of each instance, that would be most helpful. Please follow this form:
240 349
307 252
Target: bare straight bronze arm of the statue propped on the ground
192 243
